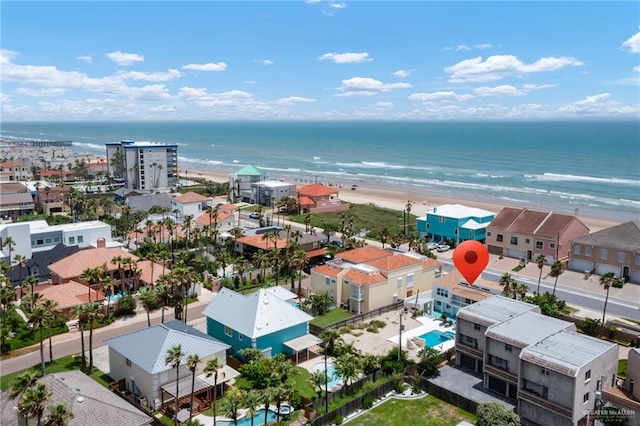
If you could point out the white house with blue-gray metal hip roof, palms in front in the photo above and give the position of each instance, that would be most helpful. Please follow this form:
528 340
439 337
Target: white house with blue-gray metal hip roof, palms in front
138 358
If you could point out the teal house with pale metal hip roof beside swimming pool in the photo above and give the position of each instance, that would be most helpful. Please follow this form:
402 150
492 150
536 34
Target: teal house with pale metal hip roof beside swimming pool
259 320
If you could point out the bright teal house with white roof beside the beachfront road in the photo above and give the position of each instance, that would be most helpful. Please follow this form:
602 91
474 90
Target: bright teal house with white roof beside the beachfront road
454 222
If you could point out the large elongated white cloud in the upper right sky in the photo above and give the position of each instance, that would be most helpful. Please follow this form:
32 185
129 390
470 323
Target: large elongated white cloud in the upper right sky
500 66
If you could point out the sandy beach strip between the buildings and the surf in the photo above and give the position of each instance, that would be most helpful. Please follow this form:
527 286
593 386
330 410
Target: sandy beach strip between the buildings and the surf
396 199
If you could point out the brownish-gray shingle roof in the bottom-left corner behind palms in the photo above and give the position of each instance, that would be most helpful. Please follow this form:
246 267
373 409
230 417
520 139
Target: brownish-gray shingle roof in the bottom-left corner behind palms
91 403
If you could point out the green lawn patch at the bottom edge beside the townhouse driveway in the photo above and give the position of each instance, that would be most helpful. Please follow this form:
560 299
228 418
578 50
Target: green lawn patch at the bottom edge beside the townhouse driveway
427 411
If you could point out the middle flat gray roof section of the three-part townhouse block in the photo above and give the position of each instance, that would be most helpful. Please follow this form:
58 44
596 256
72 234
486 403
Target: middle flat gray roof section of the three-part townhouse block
526 329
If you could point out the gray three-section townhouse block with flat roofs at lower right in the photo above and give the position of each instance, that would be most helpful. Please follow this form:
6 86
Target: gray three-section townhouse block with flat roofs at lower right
555 375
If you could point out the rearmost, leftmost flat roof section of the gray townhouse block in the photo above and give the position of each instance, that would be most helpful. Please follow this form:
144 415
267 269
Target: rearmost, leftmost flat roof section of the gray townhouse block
494 310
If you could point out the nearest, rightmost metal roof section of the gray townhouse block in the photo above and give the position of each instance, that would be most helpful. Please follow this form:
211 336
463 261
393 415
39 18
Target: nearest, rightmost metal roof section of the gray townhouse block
566 352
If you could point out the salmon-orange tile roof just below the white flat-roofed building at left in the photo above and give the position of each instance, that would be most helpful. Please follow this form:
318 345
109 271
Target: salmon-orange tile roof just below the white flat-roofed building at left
73 266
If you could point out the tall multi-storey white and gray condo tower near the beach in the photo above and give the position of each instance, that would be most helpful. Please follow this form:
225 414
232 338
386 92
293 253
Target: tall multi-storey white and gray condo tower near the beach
144 165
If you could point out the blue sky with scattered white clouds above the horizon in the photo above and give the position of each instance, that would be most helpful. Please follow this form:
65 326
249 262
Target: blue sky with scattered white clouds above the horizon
319 60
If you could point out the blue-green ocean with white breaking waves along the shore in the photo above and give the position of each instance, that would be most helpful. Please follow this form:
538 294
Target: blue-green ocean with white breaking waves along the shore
587 167
